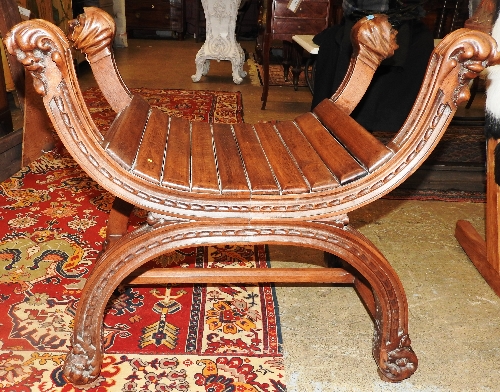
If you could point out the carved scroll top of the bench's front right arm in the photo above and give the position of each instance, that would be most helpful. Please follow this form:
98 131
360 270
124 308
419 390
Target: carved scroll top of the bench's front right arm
470 52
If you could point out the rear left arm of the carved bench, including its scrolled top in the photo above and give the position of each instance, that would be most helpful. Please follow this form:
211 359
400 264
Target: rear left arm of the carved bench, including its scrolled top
92 33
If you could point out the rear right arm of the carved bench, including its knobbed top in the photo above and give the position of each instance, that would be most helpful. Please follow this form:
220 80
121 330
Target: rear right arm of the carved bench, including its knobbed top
373 39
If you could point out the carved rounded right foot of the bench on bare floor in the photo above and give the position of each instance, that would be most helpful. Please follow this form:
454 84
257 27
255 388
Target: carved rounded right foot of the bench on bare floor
400 363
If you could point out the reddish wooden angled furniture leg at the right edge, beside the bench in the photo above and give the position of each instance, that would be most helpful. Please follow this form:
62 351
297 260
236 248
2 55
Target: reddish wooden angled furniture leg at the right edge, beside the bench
485 254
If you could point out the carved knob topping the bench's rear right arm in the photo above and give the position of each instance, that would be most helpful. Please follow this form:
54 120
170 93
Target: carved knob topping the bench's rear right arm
374 40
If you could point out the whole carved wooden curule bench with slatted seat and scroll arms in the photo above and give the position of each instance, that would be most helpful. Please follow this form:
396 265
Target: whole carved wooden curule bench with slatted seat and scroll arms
291 183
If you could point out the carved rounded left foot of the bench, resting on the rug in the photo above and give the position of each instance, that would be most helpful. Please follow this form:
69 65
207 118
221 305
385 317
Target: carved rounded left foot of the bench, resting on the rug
80 369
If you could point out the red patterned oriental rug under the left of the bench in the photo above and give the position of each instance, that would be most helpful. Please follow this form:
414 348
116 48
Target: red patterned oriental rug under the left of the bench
159 338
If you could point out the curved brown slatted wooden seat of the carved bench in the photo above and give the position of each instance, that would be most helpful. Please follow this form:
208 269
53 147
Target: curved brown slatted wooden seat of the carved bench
292 157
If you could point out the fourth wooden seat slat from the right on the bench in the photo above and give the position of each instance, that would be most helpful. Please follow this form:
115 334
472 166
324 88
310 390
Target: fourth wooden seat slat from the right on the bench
285 169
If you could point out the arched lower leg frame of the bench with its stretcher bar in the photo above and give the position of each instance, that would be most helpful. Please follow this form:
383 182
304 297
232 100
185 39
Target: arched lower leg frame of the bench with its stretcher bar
391 347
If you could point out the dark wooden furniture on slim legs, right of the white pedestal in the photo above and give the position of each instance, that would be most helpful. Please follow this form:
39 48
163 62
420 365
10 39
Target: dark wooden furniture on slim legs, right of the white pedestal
278 22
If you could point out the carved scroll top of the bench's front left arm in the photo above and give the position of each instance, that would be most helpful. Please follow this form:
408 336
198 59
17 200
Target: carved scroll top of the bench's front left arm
42 48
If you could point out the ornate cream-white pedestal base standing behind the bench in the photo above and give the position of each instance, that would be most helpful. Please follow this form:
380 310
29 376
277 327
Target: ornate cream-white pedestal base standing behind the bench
220 43
